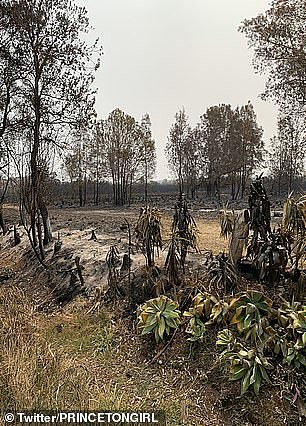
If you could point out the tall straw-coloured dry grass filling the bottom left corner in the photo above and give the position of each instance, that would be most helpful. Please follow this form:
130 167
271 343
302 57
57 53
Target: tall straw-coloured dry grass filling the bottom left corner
34 374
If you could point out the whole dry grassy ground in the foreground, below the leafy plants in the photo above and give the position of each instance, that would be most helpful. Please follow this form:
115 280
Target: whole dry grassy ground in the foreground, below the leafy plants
78 361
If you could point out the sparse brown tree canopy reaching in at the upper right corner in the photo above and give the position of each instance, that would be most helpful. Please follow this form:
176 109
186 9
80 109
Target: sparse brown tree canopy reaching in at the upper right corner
278 38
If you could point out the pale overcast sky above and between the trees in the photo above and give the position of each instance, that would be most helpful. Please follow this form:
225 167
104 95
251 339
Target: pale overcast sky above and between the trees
161 55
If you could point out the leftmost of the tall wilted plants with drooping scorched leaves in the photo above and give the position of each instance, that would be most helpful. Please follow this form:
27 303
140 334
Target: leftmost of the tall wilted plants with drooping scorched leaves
148 233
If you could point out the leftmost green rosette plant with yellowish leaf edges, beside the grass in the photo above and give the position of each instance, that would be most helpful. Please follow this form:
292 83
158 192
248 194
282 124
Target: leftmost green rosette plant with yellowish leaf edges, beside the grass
159 316
